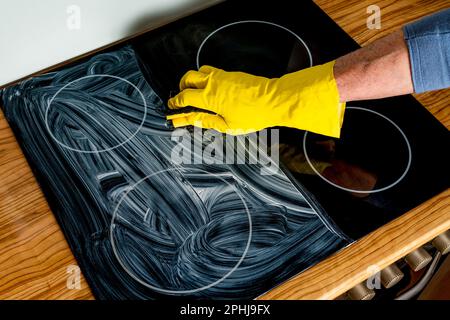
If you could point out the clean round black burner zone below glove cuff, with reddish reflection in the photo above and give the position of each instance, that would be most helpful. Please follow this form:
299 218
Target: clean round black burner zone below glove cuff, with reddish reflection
372 155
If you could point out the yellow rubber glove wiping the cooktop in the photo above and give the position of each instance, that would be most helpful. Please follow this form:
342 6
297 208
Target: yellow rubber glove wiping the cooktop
243 103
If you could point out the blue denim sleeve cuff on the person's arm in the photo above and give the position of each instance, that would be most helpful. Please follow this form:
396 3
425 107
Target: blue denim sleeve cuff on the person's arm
428 41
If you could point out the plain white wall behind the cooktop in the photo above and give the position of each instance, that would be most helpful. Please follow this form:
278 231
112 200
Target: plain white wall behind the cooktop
38 34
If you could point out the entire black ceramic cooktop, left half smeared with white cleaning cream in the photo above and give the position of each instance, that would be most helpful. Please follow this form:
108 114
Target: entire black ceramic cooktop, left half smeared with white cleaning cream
142 227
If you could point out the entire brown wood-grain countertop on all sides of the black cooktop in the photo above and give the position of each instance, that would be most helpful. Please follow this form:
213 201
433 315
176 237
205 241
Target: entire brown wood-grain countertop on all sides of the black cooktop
35 258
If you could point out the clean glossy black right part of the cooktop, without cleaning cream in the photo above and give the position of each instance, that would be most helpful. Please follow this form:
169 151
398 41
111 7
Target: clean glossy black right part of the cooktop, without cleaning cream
392 155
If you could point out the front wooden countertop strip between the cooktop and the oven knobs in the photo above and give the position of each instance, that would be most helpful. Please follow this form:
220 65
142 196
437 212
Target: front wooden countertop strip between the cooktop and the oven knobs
356 263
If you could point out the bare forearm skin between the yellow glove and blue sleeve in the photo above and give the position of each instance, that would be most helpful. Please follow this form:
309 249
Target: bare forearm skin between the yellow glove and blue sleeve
379 70
